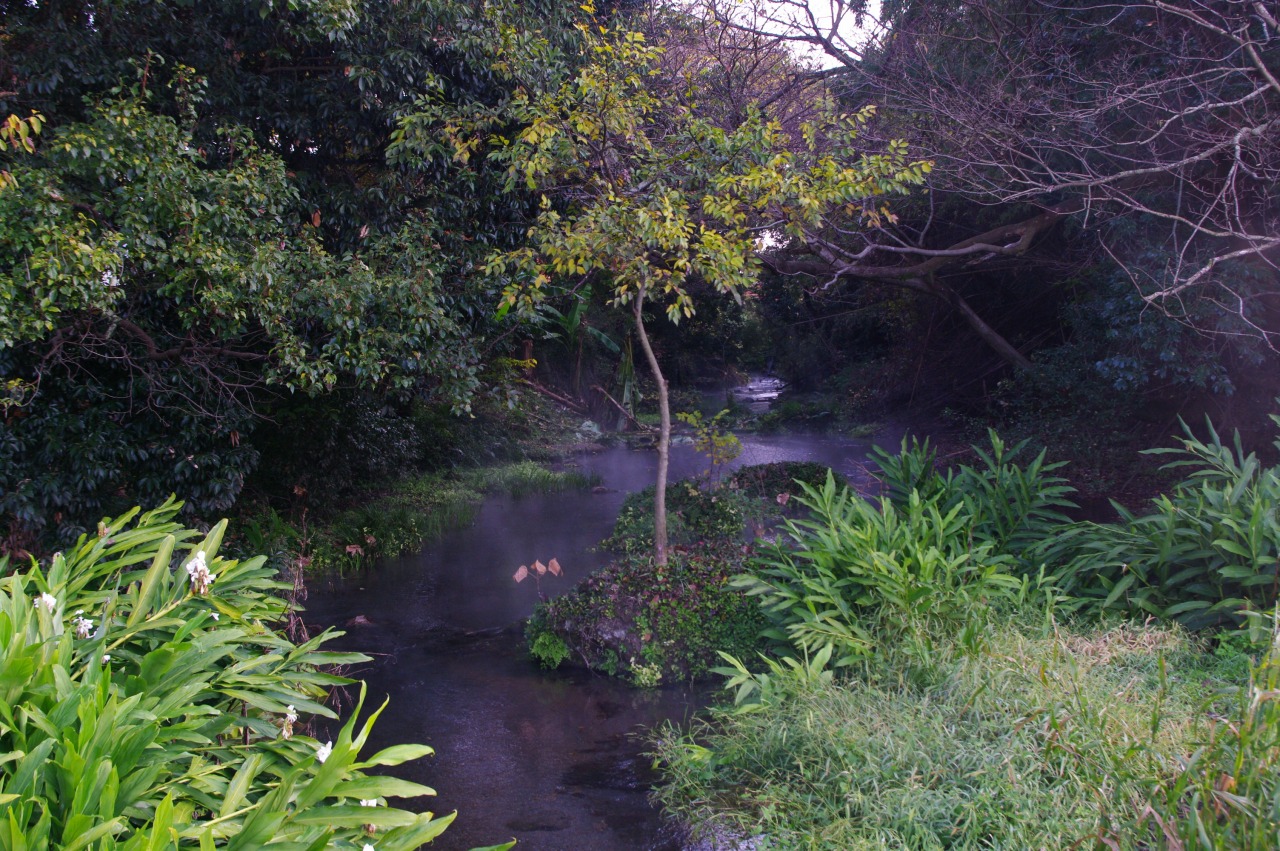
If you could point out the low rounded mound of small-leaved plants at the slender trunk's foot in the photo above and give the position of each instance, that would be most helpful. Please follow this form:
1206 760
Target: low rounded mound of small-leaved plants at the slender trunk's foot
636 617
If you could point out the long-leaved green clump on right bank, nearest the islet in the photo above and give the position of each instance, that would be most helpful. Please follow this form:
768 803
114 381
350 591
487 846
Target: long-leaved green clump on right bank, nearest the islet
936 550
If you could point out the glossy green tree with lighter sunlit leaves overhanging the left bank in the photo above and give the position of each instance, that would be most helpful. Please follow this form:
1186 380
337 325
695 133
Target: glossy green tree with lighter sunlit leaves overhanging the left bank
152 300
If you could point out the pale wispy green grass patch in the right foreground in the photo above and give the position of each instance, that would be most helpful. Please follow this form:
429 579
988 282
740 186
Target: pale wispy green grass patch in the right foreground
1021 742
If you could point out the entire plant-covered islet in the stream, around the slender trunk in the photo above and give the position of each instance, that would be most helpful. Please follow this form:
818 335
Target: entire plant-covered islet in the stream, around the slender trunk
668 623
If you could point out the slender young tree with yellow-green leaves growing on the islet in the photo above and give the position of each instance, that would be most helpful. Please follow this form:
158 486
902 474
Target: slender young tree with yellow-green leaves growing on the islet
643 191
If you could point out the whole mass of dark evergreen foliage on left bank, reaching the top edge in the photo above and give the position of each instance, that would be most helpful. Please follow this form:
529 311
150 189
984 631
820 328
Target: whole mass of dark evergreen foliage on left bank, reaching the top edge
202 230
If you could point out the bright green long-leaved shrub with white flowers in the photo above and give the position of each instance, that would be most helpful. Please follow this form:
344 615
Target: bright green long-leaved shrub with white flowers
149 703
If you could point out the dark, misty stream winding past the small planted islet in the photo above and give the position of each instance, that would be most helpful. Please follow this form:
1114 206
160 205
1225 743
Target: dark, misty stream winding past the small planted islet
552 760
